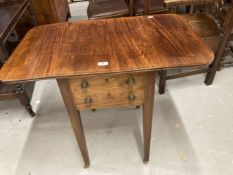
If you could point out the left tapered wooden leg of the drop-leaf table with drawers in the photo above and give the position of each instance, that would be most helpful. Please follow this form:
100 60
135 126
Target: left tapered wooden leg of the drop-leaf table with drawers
75 118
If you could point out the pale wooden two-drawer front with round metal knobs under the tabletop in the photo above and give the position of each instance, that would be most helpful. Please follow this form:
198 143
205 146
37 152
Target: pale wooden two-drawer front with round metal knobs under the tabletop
108 91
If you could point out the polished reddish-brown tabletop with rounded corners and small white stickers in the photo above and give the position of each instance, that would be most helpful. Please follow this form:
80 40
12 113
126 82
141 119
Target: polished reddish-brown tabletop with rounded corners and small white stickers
125 44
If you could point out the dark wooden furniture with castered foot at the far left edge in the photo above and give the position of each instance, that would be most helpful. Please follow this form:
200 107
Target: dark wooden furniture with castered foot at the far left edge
10 14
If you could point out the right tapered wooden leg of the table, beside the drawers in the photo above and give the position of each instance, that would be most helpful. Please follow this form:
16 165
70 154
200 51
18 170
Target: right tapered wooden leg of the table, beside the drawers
148 112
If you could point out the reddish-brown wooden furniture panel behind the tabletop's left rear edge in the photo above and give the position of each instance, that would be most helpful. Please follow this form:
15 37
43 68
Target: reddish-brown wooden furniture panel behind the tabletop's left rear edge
51 11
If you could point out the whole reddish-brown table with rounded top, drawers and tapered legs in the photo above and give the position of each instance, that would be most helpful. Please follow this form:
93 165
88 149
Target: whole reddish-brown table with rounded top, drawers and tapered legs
115 68
